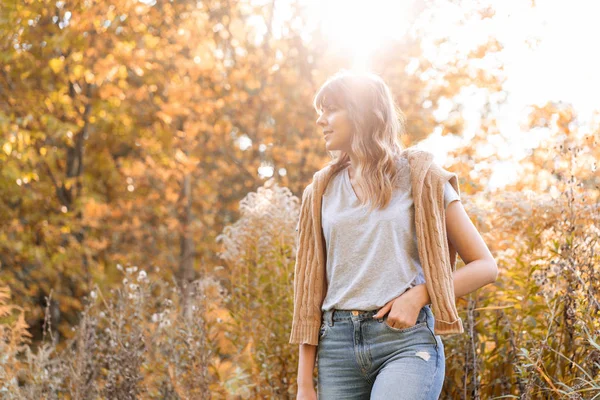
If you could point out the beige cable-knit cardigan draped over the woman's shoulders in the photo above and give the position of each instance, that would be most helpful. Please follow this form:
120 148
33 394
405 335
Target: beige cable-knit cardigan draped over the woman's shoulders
436 253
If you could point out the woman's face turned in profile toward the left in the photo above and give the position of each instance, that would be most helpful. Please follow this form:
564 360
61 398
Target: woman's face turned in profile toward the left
336 128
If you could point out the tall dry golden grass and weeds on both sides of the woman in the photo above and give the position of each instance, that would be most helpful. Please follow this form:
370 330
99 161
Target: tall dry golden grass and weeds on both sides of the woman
532 335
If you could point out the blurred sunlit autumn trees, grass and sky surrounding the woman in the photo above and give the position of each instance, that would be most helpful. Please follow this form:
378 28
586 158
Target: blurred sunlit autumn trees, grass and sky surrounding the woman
152 155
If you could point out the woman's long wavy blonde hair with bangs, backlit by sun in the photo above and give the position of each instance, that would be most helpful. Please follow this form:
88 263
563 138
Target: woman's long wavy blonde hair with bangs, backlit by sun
377 123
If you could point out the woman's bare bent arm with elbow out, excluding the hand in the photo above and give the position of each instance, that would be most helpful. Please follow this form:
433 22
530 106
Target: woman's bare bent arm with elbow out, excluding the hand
480 267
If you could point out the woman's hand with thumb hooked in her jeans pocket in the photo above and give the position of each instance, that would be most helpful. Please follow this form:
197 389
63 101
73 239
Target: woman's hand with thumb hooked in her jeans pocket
404 309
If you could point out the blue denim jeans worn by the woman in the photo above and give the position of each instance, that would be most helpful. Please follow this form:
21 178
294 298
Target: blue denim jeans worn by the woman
359 357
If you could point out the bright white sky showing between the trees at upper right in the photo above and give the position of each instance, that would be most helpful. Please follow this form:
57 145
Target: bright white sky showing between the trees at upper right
548 55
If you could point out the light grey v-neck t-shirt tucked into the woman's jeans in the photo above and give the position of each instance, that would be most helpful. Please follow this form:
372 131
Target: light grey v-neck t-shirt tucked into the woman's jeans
371 257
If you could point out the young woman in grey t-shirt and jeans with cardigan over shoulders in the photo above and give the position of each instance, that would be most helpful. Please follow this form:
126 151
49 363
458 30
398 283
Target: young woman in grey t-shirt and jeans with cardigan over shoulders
375 284
